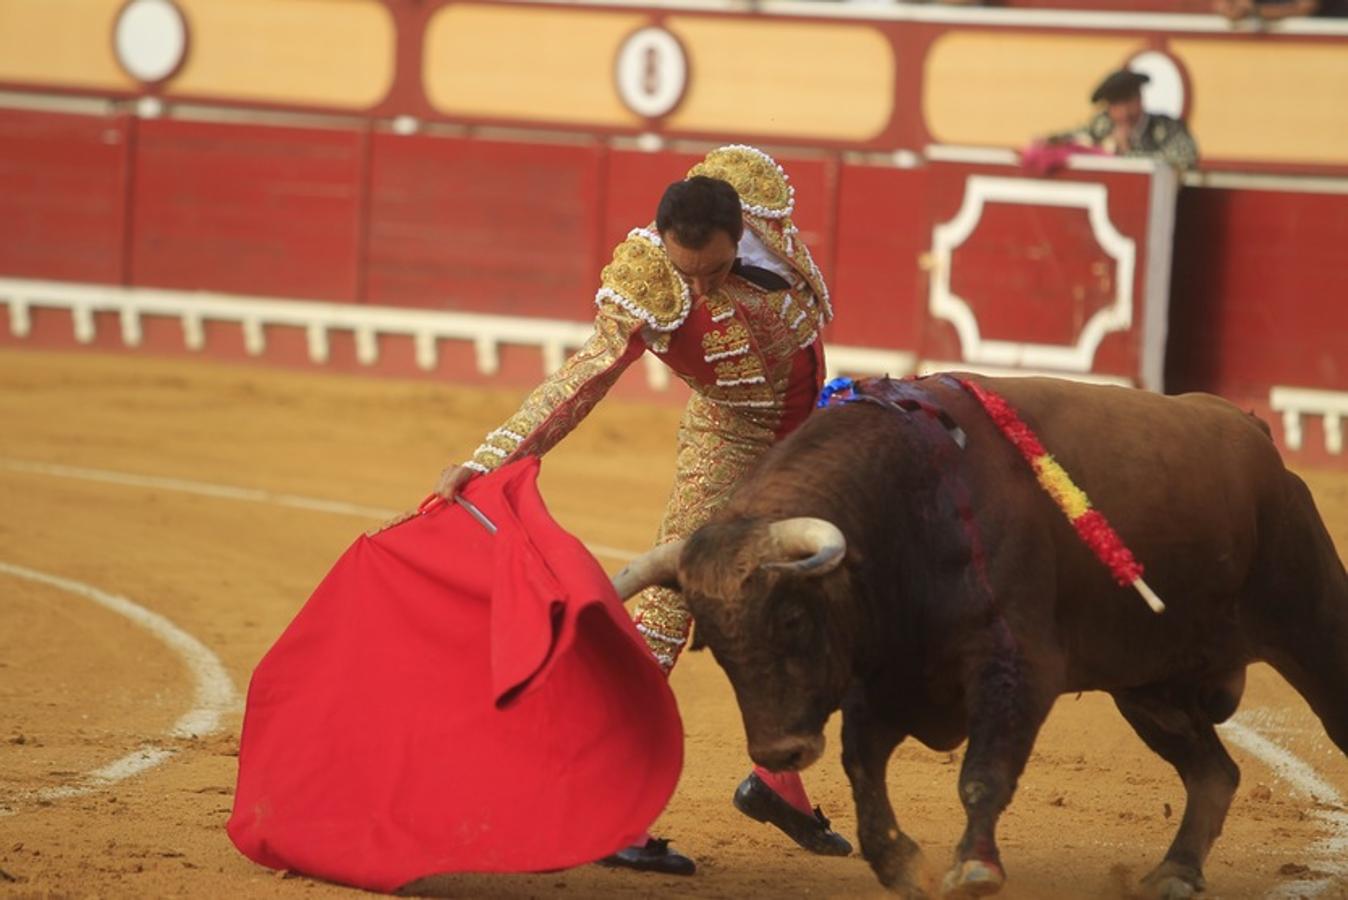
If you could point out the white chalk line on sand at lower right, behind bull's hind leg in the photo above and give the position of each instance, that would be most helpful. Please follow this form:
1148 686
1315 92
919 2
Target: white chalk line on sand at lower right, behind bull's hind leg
1330 855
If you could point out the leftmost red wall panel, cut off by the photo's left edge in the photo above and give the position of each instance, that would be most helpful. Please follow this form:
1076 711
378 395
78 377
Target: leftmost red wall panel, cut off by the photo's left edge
63 196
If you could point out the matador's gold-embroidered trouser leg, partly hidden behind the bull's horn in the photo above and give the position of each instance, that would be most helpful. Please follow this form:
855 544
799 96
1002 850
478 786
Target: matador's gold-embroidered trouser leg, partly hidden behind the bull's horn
716 447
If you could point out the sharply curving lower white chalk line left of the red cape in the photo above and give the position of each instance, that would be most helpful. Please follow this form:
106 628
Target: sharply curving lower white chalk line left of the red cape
214 692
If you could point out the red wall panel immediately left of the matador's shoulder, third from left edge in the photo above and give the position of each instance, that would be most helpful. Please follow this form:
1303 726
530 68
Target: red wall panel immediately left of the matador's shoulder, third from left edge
485 227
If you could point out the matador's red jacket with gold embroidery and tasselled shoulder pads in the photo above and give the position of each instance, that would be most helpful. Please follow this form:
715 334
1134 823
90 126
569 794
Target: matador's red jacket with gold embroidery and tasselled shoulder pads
734 347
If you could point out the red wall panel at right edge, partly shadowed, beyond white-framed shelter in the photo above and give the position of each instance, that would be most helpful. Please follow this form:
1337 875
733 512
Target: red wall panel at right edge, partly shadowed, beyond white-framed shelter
1258 293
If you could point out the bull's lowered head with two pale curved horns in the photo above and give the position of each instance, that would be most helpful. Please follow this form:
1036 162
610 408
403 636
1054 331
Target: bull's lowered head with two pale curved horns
760 593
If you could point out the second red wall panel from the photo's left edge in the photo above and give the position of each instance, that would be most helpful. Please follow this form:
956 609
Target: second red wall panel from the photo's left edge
247 210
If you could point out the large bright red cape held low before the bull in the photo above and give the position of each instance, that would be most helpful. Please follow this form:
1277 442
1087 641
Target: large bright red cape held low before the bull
456 701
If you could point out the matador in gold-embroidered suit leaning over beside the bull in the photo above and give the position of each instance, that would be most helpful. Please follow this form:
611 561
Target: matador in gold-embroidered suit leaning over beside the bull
722 289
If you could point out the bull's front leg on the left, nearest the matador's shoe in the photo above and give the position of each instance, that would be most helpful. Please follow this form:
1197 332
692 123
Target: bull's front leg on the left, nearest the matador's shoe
867 746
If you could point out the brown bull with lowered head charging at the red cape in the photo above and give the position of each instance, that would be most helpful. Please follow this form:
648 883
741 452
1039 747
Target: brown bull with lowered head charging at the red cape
902 564
